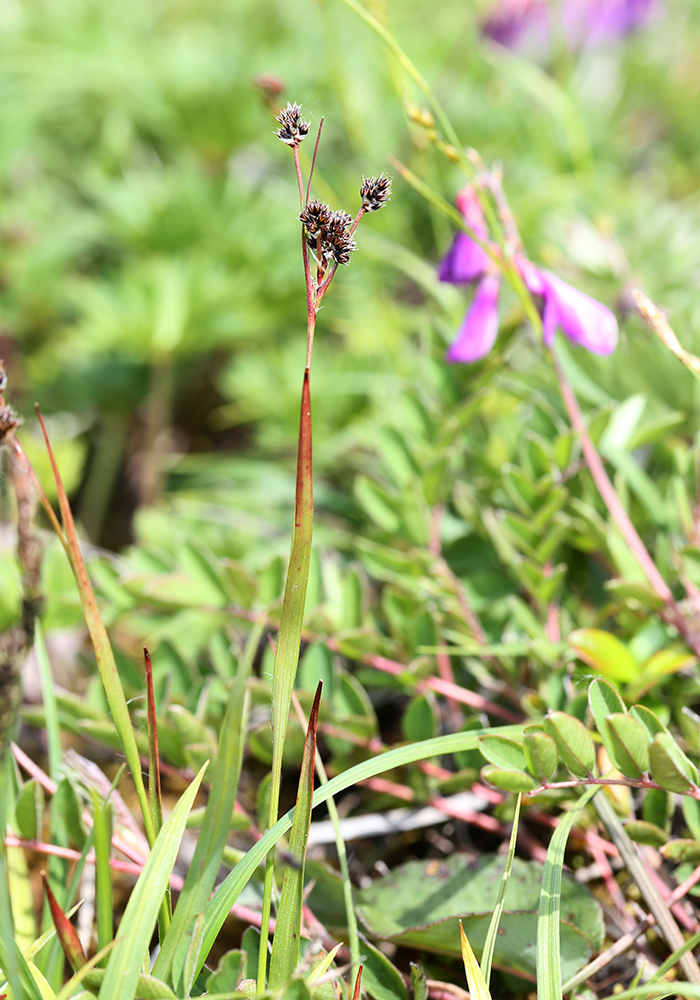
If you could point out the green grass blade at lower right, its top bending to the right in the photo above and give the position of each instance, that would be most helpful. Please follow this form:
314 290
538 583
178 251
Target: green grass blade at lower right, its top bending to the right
548 917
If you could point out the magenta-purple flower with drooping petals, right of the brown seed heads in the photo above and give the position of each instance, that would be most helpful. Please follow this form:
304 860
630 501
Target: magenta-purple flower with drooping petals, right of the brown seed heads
582 319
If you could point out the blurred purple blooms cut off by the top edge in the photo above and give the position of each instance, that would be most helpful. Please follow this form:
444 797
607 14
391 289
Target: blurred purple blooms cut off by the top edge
519 23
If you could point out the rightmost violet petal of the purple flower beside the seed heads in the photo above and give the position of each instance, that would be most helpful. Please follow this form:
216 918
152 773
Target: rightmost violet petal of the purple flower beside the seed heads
584 320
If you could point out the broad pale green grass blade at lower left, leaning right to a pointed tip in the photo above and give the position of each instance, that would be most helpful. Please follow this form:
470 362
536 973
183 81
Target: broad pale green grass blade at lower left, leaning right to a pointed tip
138 921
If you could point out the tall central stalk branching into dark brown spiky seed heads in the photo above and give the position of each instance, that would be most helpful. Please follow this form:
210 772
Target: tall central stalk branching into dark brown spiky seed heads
327 242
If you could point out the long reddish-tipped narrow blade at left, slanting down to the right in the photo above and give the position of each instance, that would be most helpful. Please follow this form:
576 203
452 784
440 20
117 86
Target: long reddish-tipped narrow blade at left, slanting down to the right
101 644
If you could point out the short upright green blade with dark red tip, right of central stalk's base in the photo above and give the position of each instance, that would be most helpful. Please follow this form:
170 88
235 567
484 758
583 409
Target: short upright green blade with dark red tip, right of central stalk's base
285 946
